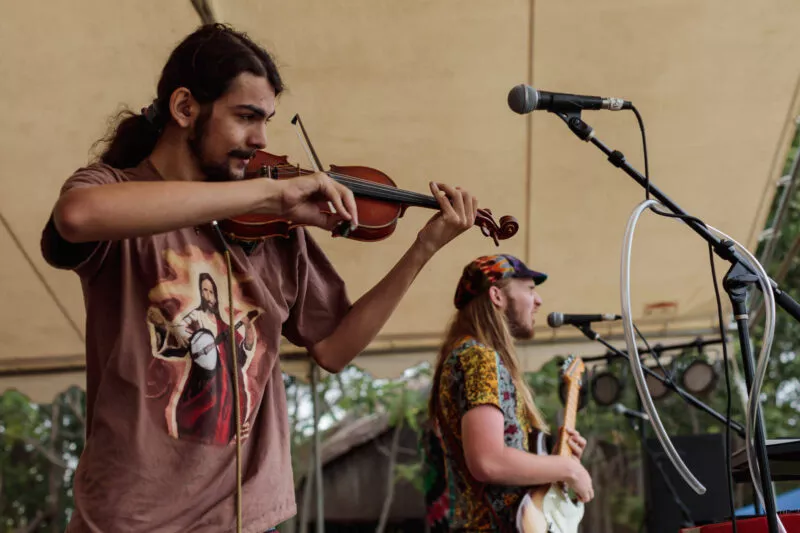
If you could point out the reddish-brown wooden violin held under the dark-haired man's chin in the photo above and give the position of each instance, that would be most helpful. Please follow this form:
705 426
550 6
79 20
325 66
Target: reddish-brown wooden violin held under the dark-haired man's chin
379 201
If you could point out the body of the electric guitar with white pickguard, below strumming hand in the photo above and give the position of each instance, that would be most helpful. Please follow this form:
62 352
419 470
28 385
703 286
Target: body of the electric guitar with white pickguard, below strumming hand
549 510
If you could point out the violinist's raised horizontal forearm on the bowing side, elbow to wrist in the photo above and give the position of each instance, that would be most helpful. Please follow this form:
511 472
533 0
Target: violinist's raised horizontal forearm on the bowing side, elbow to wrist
127 210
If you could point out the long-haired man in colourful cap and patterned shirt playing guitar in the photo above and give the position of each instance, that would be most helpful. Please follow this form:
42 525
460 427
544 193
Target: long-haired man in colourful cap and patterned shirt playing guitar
481 409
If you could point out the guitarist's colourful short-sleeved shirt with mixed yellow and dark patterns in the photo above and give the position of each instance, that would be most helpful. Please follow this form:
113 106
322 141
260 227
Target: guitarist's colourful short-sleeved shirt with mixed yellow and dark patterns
474 375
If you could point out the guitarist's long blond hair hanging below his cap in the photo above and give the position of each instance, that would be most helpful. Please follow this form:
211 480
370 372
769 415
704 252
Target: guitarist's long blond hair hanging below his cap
483 321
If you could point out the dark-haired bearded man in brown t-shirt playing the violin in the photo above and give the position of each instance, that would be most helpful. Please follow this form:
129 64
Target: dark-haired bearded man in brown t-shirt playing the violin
135 227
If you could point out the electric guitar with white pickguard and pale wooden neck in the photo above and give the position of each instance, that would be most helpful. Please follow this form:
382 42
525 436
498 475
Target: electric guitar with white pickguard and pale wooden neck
549 509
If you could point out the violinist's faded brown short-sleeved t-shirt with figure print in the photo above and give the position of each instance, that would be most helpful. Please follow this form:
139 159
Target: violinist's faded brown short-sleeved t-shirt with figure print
160 448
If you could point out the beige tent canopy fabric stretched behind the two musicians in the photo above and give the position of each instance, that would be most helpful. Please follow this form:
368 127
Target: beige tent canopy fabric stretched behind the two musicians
418 90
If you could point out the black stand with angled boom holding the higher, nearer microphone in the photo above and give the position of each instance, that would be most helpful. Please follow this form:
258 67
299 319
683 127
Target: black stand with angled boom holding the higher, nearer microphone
739 268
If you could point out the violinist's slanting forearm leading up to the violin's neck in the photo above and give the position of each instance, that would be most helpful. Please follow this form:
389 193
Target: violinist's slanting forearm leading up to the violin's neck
371 312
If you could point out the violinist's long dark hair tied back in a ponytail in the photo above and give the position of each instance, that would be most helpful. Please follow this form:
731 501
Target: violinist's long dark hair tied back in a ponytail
205 62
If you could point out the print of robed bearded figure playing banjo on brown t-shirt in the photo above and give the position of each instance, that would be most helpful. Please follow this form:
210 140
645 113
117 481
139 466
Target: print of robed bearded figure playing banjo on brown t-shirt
190 337
